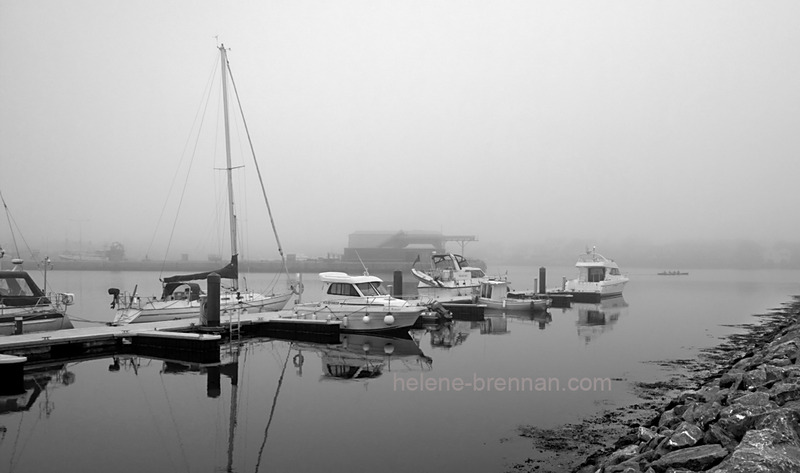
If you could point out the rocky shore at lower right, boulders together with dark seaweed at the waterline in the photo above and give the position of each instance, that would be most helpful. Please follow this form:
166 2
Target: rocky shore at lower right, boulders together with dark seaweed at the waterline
737 410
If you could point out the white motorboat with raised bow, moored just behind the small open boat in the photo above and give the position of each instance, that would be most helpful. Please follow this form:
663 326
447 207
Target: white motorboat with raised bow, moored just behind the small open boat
449 279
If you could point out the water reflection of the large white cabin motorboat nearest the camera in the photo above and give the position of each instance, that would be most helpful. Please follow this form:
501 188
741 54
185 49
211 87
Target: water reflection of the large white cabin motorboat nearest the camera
358 356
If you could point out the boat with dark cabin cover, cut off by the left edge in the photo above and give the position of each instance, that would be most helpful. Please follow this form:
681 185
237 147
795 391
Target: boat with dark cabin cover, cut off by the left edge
25 308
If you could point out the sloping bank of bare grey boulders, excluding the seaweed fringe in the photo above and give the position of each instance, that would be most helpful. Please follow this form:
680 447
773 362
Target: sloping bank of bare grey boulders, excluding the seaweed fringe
744 417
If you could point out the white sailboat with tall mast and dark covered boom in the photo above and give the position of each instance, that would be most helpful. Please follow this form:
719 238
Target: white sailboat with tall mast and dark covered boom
181 297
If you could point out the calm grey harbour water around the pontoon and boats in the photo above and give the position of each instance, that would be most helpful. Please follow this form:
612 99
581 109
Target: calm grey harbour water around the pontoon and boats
138 414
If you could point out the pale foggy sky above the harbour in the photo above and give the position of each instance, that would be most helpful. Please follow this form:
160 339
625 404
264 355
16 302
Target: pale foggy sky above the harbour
513 121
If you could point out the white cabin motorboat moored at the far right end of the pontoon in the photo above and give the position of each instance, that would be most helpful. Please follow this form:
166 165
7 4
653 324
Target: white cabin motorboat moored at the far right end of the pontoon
598 278
